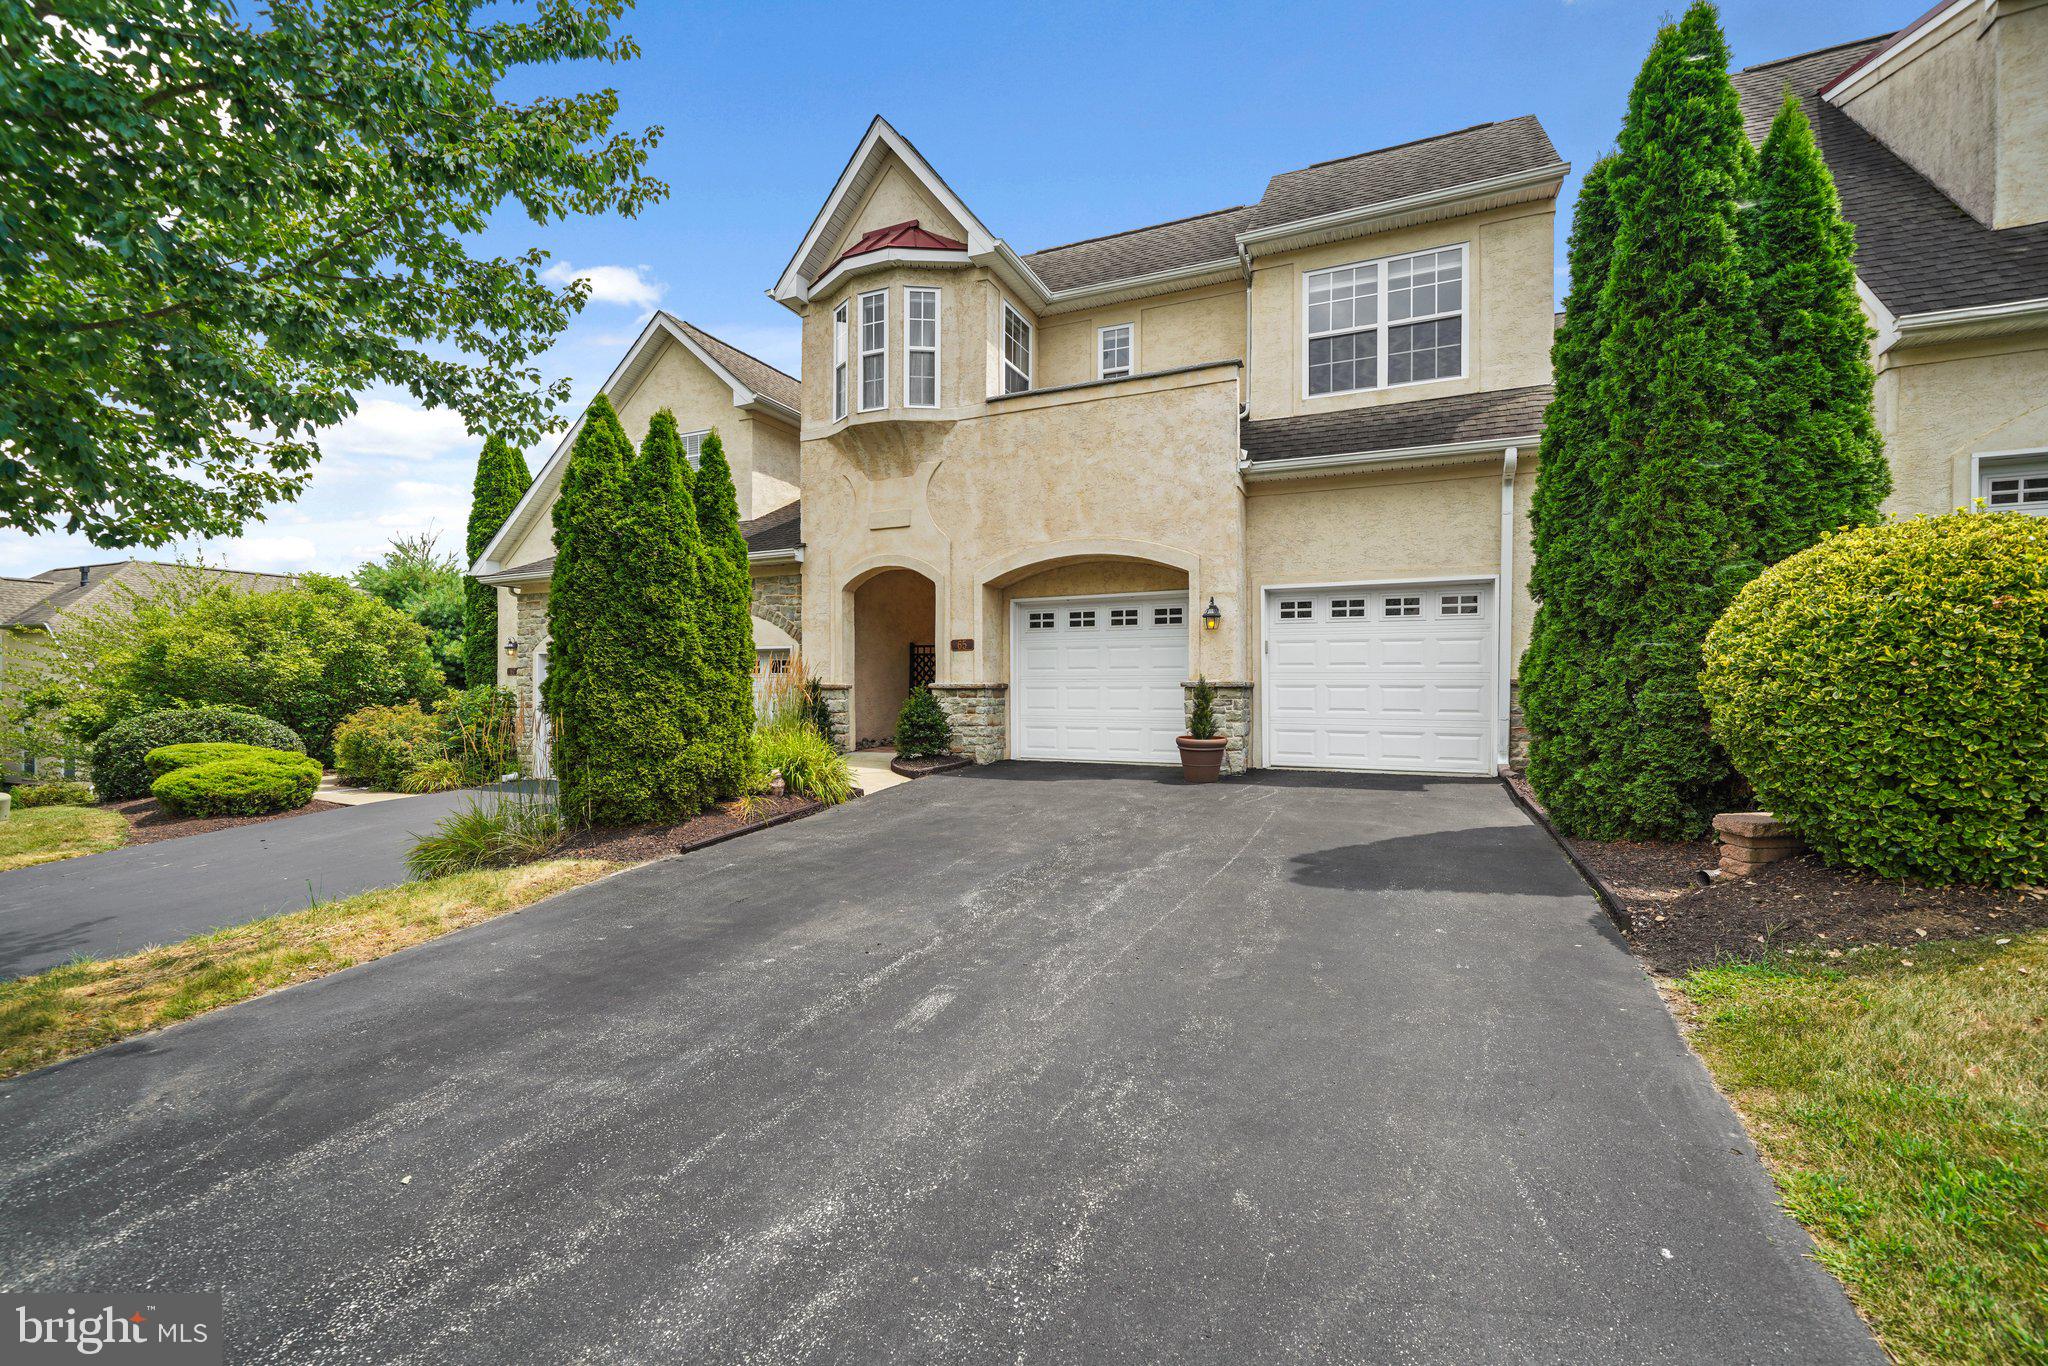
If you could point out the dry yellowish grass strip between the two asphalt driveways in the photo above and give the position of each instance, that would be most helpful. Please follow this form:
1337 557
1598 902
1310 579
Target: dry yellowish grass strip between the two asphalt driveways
81 1007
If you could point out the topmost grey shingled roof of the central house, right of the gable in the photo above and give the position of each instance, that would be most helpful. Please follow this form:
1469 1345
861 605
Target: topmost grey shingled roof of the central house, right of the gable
1353 183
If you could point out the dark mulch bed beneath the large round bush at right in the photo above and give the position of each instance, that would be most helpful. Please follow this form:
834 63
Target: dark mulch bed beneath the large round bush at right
1678 925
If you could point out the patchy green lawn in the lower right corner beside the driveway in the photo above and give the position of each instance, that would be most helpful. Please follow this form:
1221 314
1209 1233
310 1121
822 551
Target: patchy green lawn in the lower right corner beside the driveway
1902 1099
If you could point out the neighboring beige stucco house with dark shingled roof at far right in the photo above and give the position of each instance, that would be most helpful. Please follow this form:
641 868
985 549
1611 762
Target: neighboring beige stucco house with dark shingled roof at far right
1938 140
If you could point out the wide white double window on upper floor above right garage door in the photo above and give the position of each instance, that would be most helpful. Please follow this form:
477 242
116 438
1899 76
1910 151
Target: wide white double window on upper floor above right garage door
1351 345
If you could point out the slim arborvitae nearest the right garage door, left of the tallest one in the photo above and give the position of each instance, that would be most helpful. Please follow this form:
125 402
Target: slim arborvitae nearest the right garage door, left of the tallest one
1570 712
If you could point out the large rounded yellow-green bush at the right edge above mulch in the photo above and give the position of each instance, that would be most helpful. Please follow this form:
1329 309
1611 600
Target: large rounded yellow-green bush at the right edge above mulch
1887 697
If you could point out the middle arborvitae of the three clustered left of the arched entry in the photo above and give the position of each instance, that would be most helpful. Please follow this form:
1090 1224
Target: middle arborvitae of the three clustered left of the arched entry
667 677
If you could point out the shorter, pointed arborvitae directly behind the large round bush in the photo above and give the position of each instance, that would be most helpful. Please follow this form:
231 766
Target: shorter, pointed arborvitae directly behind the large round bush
1826 462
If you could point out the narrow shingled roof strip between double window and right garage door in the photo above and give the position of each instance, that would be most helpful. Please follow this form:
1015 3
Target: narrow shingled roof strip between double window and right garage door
1494 415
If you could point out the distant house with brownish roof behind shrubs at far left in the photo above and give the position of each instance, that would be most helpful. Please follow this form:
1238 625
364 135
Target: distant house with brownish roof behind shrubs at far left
38 611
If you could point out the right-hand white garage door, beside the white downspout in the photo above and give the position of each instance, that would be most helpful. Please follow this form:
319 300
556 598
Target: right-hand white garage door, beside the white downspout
1381 679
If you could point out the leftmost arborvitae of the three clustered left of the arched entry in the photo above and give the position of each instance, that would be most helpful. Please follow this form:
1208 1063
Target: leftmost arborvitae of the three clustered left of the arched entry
591 634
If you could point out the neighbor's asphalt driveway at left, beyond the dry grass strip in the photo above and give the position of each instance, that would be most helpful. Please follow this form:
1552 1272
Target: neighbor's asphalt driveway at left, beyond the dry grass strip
171 890
